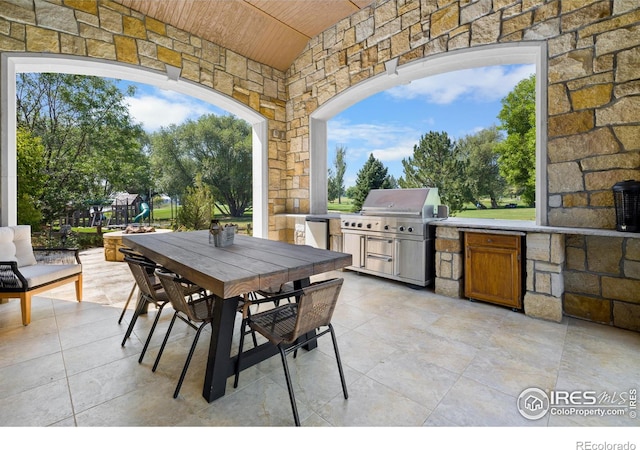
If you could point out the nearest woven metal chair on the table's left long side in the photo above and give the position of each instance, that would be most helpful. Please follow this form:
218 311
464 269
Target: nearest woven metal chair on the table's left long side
197 312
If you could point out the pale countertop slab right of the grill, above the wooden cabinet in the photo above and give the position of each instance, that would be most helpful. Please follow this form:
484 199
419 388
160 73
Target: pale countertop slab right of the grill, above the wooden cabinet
524 226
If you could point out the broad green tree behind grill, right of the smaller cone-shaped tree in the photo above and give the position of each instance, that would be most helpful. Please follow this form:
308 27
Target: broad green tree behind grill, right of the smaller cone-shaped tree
438 163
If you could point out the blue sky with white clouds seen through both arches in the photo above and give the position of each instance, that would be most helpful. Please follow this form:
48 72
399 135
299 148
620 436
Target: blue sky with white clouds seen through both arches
387 124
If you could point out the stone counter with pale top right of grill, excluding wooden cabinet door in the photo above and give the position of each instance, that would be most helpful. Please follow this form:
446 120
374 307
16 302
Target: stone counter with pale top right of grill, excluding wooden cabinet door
555 261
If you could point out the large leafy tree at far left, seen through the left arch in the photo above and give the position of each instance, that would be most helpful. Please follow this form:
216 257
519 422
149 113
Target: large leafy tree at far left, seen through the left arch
92 147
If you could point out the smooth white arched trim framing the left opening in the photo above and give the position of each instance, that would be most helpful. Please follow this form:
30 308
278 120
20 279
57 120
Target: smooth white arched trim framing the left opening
12 64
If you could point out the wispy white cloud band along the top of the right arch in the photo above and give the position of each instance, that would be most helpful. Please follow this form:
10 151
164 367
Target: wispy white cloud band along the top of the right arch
486 84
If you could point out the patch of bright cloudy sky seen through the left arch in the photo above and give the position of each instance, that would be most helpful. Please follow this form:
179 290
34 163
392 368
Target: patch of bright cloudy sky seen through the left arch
157 108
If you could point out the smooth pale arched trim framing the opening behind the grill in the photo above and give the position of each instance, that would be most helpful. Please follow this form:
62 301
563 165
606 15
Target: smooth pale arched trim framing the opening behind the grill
491 55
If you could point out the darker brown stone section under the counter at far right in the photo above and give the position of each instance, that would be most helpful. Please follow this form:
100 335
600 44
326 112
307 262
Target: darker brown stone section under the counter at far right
602 280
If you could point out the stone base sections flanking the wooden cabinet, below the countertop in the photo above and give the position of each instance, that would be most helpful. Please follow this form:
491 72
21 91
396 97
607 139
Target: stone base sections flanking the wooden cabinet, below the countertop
596 278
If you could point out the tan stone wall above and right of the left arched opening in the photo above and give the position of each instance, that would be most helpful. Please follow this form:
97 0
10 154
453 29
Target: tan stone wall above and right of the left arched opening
108 31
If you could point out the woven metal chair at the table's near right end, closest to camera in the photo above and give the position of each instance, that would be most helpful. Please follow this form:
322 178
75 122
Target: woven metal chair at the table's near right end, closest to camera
293 325
